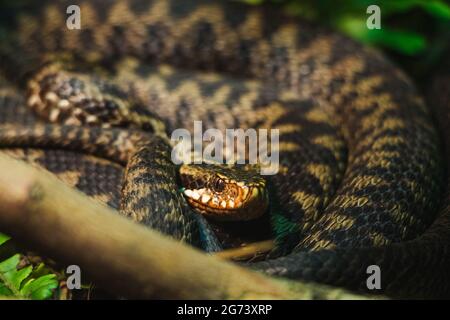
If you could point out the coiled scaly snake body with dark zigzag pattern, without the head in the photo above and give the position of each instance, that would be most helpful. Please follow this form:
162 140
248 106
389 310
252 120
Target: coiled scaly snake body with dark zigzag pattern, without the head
362 176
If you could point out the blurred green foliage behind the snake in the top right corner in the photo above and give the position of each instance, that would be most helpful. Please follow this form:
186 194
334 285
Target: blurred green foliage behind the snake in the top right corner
415 33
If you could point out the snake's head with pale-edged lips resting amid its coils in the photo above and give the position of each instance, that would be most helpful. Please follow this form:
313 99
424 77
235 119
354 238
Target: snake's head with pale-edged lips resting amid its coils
224 193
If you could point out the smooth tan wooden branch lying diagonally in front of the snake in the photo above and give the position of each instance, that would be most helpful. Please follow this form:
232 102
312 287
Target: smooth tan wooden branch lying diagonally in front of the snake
123 257
